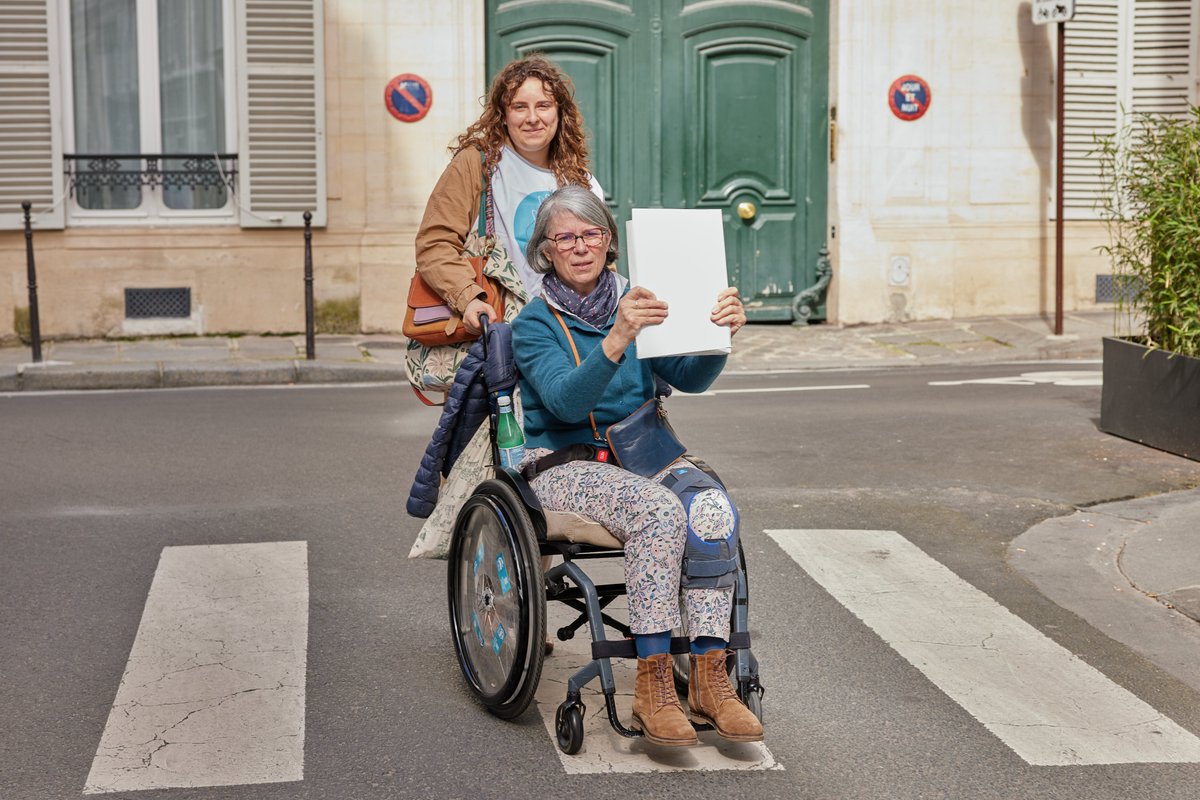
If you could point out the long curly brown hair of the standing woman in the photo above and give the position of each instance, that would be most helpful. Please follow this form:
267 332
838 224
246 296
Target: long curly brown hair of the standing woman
569 148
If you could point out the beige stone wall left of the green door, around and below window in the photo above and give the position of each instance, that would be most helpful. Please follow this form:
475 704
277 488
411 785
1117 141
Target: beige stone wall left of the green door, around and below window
380 173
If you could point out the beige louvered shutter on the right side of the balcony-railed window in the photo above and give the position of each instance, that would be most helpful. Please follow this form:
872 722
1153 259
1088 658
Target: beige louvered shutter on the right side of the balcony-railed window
281 86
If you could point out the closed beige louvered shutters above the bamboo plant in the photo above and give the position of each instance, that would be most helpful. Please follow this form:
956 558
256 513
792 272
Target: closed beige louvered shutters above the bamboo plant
1124 57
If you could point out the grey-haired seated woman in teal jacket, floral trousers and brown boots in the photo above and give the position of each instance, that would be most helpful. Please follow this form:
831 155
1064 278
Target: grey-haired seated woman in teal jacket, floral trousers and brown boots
573 244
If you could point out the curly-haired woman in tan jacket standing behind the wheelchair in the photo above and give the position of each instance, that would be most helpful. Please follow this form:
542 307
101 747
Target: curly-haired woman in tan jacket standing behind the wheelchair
529 142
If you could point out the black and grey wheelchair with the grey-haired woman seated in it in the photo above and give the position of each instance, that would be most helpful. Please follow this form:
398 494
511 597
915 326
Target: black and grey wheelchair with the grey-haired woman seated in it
499 592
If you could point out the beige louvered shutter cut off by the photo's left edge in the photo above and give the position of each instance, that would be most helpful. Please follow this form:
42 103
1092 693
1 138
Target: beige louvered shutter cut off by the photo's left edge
31 141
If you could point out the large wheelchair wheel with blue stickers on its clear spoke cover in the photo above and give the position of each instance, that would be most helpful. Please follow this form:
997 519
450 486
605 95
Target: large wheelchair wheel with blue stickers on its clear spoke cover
497 600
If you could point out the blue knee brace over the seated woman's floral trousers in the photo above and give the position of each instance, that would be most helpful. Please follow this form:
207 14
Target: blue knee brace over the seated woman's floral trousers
711 556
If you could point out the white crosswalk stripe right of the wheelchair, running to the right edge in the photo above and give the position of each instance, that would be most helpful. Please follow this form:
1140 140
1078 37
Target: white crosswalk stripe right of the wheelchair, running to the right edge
1037 697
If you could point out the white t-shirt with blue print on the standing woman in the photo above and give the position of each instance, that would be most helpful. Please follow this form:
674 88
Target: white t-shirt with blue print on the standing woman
518 189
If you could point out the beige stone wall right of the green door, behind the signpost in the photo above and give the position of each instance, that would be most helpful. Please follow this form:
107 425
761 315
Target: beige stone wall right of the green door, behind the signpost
965 193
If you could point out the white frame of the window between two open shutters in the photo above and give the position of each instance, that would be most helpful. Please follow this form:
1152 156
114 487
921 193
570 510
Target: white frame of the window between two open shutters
153 210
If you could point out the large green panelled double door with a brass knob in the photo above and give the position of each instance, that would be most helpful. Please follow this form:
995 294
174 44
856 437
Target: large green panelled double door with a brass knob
701 105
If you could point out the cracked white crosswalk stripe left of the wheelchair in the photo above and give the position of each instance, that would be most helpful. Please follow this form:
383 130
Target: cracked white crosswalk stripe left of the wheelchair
214 690
